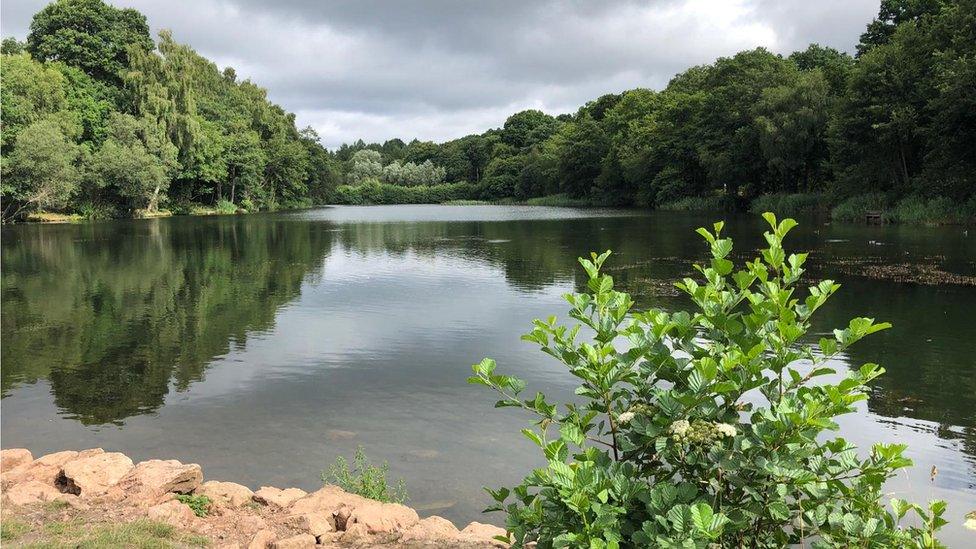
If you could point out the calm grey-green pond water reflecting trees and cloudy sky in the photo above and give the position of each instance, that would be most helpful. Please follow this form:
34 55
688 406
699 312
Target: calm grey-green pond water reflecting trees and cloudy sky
264 346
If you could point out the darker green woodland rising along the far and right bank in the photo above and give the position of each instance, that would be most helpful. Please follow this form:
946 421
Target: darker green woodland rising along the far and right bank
897 119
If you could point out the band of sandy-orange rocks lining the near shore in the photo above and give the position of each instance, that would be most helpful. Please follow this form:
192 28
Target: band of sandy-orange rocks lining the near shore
109 484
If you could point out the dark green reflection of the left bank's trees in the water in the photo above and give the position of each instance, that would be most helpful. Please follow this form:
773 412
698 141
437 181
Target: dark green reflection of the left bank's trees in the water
111 313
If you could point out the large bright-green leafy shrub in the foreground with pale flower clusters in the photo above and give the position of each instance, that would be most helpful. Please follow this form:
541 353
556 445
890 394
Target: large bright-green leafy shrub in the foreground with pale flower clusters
709 428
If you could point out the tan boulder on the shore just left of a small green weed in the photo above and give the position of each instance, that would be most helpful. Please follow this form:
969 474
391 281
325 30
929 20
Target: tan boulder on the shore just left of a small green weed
150 480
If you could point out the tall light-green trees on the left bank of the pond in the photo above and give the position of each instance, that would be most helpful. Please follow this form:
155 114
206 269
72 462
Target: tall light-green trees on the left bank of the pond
100 120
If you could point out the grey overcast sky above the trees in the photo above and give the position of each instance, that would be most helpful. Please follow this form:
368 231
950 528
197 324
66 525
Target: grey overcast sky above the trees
442 69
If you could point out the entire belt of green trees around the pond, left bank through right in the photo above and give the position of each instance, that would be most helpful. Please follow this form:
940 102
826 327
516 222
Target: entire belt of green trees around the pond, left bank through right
98 118
